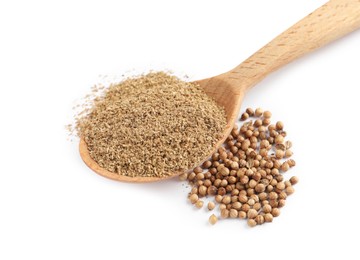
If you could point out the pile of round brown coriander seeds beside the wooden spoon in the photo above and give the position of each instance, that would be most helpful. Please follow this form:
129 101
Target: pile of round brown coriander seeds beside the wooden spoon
245 176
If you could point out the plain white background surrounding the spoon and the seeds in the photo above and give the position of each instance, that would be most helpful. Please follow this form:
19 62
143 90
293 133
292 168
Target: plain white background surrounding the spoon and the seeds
53 207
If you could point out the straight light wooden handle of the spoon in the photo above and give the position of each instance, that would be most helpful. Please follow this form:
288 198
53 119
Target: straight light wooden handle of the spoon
328 23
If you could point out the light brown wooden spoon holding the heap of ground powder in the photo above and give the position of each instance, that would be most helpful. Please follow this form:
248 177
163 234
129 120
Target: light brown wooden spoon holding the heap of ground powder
329 22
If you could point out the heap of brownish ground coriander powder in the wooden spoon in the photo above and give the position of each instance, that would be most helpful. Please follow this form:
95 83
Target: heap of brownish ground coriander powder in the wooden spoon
152 126
